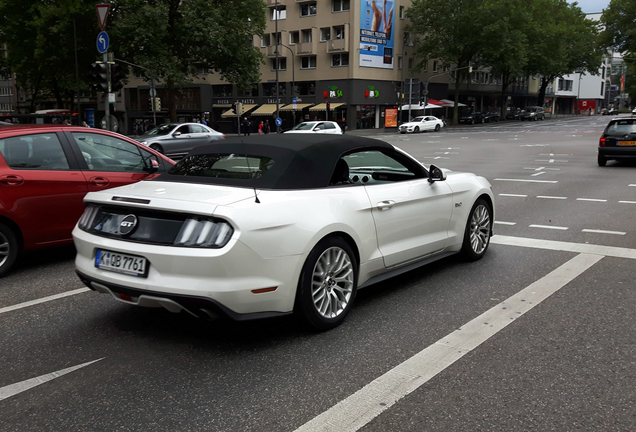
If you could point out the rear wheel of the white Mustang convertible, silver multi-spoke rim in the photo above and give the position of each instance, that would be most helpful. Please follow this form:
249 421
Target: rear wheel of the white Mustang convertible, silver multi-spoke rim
331 270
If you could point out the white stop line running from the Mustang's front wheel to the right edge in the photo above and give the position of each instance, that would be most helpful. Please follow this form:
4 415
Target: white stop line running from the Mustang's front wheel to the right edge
611 251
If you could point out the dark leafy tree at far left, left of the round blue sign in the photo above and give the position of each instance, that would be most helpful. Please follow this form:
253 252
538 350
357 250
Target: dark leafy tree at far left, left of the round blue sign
41 46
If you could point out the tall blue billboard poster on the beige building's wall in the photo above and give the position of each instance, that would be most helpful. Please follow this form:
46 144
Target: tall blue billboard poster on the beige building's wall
376 34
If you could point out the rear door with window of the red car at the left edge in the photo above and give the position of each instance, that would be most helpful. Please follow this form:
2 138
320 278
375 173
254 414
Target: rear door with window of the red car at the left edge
41 186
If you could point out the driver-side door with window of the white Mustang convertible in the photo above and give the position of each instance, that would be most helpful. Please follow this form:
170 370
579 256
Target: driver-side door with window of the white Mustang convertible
411 215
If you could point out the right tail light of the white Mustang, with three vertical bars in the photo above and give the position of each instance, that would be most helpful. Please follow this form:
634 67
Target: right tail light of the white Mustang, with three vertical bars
204 233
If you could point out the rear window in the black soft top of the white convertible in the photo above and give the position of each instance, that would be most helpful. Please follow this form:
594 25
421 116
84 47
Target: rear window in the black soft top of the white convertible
228 166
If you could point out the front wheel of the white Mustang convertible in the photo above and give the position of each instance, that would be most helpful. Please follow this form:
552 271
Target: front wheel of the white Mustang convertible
477 232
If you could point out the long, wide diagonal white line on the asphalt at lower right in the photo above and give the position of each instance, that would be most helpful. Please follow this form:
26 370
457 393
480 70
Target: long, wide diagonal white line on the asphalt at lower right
379 395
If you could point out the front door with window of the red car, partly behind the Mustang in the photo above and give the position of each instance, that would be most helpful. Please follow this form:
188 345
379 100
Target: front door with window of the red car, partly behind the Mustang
108 161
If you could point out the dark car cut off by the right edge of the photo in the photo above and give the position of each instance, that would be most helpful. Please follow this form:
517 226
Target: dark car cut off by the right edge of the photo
618 140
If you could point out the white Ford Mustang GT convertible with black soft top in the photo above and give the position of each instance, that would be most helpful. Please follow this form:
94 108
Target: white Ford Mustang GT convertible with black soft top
263 226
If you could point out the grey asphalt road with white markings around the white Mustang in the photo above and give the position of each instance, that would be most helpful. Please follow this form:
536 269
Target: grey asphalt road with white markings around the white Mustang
539 335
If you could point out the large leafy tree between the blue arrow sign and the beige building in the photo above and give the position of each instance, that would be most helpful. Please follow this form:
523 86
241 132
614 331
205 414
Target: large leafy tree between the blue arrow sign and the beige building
176 39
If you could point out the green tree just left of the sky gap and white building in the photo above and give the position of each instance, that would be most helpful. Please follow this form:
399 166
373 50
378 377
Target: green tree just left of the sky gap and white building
563 41
